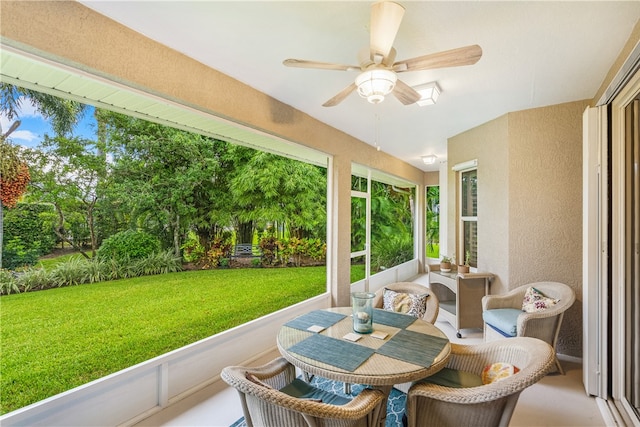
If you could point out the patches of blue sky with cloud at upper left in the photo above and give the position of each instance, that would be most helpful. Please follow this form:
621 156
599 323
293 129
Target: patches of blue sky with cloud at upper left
33 126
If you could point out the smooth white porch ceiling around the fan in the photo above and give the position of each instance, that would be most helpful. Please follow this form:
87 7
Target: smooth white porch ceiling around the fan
534 54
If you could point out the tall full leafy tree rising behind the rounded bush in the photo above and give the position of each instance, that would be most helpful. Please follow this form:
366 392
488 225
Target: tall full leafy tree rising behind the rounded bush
159 172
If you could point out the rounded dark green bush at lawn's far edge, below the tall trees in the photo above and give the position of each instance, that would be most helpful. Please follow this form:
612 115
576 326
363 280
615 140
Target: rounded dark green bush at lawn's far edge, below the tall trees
128 245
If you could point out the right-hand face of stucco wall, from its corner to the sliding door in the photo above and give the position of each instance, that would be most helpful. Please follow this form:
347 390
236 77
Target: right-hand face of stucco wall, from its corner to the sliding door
545 208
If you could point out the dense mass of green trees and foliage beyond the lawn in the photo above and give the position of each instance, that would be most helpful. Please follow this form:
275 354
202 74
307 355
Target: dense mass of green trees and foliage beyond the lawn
172 184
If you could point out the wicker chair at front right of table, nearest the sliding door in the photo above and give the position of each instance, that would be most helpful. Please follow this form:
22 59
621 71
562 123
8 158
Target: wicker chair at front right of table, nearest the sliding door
483 405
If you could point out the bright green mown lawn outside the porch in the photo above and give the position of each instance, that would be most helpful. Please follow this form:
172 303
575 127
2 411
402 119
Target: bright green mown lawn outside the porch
58 339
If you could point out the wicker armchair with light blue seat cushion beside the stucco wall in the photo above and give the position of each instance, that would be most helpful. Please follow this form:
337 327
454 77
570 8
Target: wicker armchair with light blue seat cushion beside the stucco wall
544 325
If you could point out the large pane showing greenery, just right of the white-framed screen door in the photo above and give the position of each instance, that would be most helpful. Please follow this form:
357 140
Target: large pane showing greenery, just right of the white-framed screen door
391 225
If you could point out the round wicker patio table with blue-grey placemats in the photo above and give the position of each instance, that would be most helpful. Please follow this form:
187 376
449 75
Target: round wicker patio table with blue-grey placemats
412 348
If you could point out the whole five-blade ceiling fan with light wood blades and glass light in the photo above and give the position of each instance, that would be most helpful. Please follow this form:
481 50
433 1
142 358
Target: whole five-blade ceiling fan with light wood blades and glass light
378 67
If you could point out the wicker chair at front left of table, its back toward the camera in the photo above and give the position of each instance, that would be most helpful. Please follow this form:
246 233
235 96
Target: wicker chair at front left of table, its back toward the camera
264 405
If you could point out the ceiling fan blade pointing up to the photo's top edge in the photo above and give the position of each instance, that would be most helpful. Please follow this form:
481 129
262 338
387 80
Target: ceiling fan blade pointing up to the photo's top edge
386 17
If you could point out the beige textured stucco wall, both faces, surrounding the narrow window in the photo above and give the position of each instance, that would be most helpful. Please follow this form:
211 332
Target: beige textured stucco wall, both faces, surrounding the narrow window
529 202
